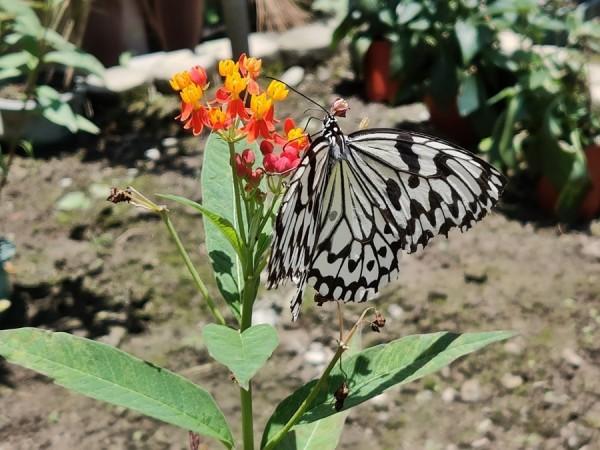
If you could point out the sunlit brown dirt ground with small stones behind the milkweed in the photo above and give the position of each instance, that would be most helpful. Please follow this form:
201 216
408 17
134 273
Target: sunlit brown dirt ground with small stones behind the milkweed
111 273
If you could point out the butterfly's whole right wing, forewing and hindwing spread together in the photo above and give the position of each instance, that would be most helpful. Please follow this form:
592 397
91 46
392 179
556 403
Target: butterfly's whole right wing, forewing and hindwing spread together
394 192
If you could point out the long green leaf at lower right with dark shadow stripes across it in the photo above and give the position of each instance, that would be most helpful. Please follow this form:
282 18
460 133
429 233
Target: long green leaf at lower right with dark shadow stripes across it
376 369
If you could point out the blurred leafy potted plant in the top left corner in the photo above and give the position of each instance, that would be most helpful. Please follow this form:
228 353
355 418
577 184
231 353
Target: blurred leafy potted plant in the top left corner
36 69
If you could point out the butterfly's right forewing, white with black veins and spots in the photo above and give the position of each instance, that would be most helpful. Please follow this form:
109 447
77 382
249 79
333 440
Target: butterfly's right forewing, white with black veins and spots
429 185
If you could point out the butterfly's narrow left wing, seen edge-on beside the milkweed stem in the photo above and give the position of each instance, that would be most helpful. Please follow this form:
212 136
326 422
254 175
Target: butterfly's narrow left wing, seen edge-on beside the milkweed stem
296 224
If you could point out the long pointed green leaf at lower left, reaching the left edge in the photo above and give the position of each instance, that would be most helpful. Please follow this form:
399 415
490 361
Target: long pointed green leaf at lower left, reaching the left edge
109 374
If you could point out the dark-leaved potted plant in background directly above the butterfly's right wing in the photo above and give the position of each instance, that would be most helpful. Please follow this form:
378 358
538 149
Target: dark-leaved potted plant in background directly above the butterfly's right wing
447 53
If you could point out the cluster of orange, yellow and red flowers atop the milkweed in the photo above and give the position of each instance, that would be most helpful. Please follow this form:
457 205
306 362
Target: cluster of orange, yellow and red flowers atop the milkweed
239 110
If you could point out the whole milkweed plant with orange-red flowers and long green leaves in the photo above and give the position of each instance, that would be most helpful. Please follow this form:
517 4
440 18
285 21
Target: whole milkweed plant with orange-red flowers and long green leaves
248 158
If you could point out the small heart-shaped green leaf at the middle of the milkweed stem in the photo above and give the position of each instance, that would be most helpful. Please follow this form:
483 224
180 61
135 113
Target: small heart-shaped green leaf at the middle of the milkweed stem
242 353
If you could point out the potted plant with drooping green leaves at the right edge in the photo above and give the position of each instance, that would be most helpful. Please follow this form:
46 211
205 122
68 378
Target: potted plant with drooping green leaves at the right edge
547 126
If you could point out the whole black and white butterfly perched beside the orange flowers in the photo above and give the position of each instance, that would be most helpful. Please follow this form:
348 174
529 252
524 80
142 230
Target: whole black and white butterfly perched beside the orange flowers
357 201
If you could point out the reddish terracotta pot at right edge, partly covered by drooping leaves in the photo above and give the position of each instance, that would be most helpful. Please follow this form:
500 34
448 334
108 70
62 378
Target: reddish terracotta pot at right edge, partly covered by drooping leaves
547 194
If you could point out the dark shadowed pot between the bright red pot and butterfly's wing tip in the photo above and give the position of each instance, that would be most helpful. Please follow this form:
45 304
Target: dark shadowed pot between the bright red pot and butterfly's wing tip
447 119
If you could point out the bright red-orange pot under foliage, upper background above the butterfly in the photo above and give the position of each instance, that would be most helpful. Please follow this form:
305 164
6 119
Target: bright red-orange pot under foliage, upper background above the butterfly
379 85
